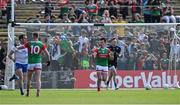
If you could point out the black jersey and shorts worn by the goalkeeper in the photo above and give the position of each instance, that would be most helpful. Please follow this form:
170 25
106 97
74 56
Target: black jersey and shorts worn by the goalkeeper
116 50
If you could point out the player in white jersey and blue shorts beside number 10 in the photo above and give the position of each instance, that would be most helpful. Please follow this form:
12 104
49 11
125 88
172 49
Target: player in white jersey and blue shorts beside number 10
21 62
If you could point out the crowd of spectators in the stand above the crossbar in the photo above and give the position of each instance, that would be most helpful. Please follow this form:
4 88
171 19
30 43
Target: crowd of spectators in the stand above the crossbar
132 11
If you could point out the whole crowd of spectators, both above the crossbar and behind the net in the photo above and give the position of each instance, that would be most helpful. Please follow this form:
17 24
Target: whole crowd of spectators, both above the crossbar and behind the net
145 48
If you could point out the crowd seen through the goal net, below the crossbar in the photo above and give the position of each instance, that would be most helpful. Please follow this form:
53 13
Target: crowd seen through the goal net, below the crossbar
141 48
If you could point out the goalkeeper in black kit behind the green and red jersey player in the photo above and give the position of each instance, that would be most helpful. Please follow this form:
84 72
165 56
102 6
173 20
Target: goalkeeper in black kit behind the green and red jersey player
112 64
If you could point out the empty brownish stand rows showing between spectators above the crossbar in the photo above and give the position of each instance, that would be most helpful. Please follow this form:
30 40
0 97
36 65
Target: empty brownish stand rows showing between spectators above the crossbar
30 10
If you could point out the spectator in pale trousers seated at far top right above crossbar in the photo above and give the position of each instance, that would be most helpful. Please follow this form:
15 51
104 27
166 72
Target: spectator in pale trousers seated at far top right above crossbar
168 13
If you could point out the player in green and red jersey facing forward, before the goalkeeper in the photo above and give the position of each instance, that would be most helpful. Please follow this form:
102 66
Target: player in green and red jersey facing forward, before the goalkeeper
102 55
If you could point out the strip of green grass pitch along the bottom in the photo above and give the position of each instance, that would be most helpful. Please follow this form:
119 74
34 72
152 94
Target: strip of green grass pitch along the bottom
60 96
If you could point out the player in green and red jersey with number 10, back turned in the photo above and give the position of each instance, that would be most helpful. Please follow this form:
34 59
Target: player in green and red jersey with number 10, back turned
35 49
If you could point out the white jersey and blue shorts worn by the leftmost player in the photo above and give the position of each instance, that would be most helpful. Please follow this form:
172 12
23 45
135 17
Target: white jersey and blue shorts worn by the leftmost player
21 58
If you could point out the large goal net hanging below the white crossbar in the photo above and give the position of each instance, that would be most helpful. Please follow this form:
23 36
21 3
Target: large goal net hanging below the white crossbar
144 46
